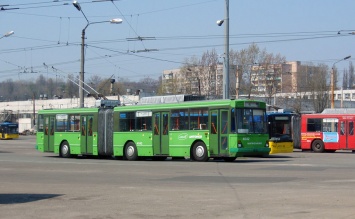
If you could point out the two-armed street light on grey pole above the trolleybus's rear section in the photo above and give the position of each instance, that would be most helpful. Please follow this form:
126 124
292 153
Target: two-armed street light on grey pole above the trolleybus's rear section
81 78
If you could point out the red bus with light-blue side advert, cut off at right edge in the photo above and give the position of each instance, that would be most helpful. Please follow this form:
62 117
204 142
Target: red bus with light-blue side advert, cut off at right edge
327 132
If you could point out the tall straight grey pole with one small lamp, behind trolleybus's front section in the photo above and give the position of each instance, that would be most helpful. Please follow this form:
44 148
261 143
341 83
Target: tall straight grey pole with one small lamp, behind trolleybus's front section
226 52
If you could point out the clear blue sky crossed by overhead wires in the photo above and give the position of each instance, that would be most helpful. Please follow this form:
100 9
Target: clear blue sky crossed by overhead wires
47 34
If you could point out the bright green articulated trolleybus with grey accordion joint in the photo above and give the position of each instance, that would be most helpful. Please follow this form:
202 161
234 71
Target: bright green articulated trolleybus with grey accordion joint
223 129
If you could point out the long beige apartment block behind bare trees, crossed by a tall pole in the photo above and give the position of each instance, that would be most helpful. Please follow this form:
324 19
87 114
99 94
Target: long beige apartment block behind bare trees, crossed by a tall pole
265 79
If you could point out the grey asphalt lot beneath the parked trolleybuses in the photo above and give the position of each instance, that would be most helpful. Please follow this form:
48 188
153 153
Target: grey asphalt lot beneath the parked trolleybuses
296 185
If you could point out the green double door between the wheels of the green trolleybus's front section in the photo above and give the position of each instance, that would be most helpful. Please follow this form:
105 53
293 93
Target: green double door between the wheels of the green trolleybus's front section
161 133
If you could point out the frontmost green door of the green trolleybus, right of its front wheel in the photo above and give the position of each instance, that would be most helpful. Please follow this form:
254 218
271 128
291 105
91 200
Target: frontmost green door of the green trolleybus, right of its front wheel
219 130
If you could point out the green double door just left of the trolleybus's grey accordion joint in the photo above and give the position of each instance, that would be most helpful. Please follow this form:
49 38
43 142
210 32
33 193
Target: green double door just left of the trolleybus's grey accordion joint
86 134
